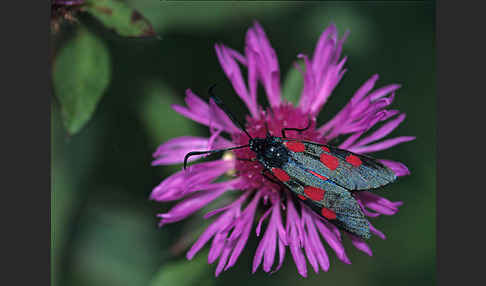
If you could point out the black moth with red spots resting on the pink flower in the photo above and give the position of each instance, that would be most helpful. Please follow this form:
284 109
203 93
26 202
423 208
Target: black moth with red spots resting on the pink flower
325 178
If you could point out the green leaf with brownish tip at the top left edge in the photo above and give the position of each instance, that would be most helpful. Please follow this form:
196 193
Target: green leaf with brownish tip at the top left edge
118 16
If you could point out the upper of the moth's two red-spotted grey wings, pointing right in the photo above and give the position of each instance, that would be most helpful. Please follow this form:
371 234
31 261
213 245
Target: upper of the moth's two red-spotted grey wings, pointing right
352 171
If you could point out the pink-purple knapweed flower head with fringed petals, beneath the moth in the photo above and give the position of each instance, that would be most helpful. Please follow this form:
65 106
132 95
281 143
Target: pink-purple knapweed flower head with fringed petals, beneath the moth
289 223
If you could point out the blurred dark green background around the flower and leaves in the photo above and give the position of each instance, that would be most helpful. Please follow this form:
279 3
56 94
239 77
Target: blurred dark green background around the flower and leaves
104 230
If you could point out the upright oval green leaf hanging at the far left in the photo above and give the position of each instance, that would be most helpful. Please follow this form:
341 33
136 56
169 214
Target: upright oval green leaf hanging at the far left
81 75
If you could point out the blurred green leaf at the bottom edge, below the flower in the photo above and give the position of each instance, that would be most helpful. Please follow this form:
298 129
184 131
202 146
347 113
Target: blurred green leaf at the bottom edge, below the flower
184 272
